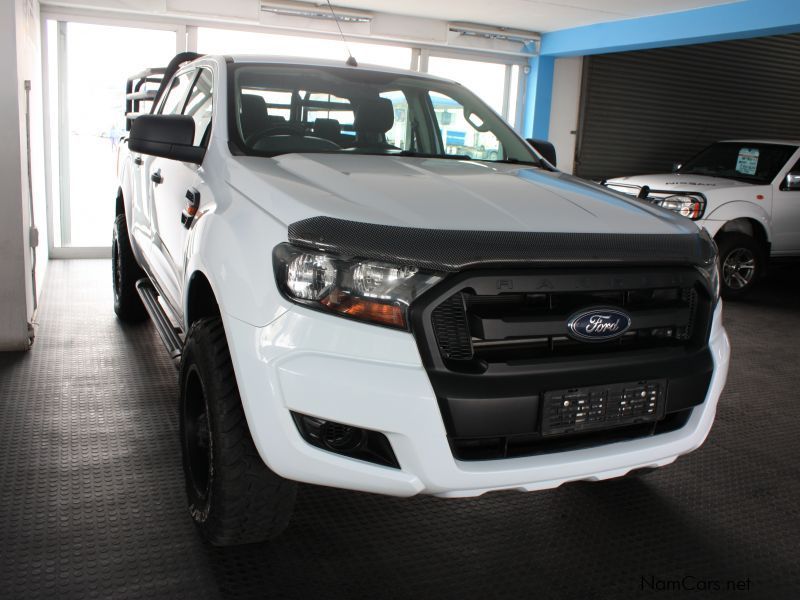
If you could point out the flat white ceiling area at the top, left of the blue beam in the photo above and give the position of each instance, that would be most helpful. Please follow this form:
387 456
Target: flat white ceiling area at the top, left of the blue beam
533 15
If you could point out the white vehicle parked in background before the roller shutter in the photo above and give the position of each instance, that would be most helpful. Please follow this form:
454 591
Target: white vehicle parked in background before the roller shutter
746 193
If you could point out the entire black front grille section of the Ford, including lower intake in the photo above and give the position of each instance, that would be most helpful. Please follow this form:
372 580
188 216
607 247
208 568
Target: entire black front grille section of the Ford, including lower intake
496 346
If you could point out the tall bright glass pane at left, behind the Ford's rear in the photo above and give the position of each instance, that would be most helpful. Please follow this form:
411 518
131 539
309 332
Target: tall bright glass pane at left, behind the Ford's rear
97 60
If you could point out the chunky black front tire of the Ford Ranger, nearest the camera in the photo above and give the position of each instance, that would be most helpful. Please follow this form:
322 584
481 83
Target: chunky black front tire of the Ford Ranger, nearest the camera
239 500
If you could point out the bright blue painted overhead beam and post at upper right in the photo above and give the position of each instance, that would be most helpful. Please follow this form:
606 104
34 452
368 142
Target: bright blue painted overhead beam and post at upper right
737 20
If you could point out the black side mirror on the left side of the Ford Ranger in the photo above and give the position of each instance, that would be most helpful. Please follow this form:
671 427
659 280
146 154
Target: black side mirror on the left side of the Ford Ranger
167 136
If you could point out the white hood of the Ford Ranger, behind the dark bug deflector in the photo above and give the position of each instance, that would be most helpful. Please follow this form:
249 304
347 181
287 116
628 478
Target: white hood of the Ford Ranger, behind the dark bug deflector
441 194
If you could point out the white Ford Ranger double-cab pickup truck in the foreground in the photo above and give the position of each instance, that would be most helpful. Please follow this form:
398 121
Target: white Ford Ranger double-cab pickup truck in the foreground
352 303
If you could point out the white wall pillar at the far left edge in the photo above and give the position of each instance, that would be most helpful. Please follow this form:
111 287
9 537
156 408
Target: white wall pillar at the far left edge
20 60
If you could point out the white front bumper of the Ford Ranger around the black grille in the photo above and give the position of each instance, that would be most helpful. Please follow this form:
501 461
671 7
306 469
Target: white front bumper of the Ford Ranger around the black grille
372 377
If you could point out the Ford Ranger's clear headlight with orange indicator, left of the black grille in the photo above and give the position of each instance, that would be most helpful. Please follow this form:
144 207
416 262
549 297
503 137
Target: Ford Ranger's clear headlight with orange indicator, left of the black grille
360 289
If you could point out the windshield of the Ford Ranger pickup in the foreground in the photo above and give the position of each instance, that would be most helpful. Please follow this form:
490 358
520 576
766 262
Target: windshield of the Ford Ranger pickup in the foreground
278 109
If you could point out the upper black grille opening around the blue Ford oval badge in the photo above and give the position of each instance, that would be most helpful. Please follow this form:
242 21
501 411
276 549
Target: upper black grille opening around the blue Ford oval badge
472 329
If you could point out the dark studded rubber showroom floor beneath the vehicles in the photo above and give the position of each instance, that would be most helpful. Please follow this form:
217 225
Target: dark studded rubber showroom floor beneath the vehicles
92 500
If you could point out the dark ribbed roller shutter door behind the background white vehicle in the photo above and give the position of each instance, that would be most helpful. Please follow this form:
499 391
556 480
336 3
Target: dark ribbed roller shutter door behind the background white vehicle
642 111
